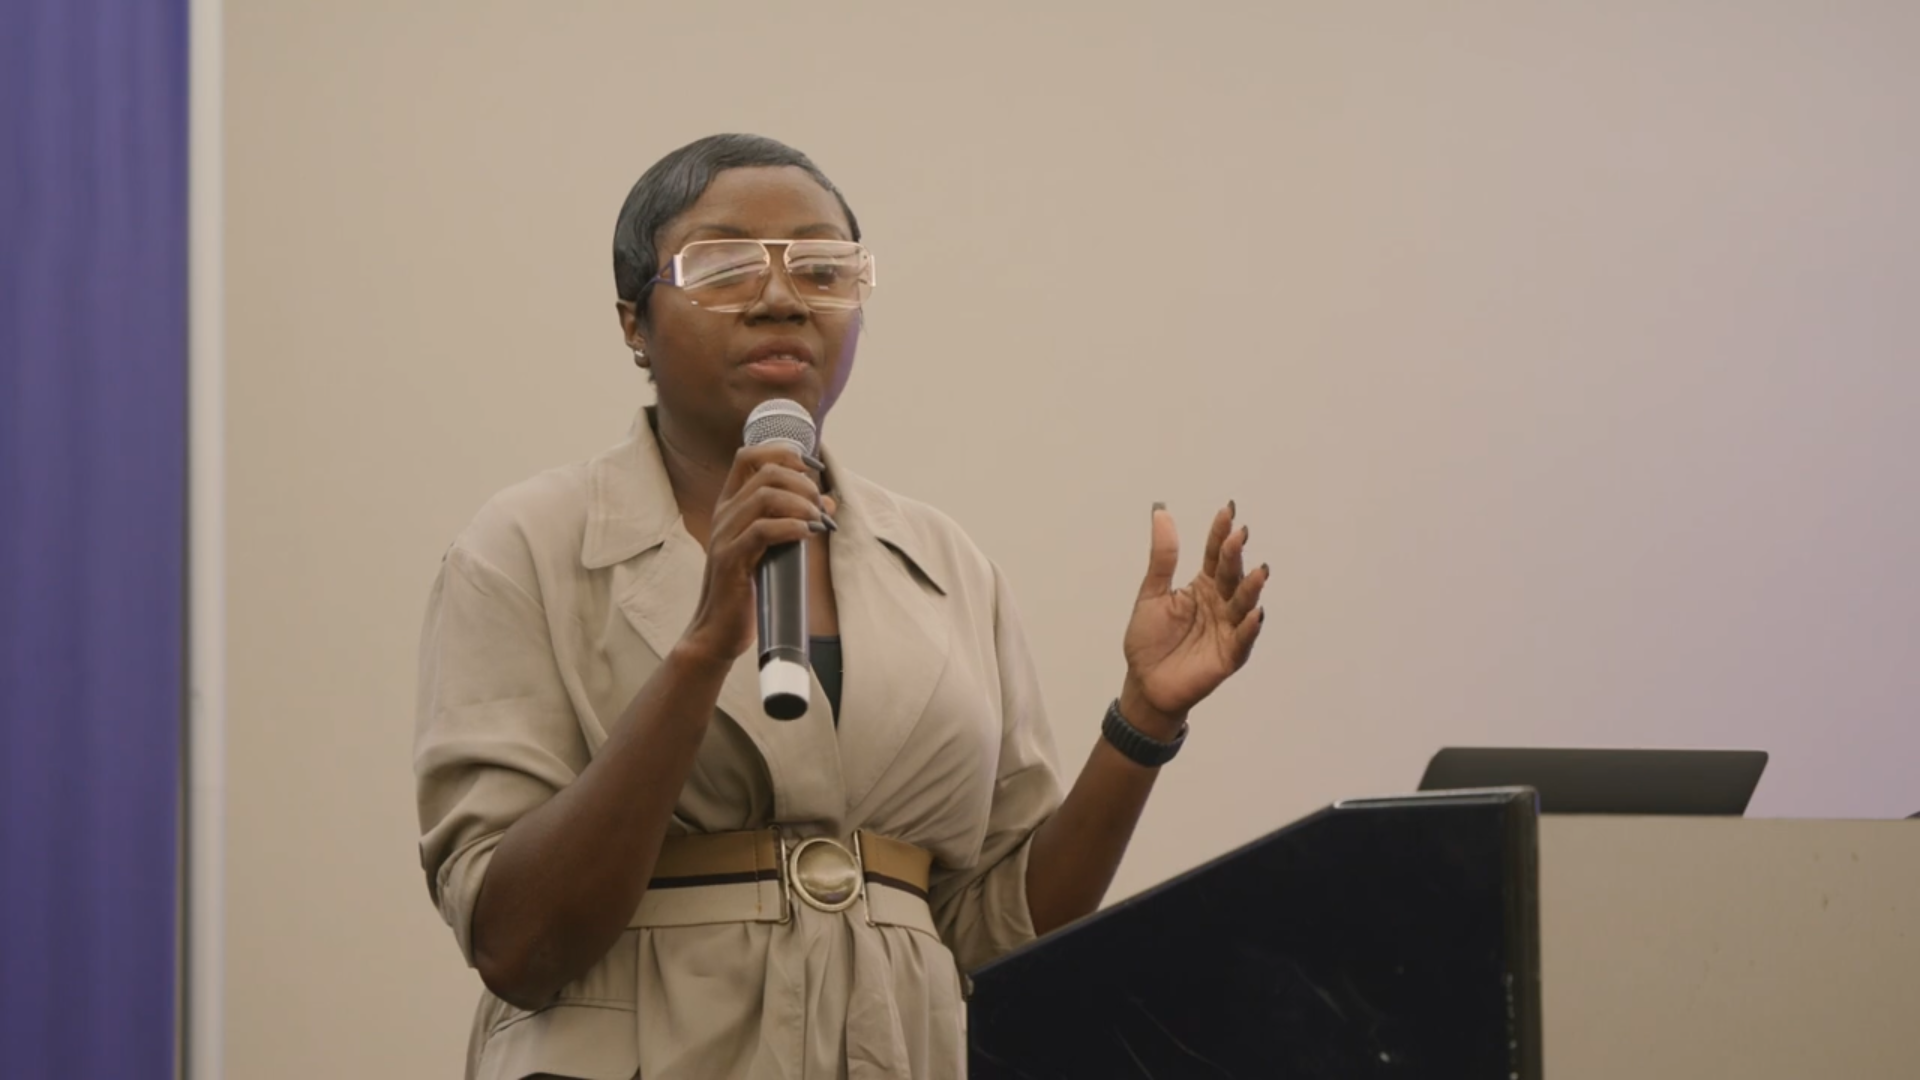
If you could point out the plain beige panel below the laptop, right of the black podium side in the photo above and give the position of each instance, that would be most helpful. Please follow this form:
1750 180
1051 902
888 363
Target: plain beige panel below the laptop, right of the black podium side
1767 950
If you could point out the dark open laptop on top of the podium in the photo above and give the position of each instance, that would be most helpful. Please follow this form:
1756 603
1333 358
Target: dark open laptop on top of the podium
1608 781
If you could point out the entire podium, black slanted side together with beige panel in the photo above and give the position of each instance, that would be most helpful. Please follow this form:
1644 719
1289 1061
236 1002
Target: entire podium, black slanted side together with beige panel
1458 935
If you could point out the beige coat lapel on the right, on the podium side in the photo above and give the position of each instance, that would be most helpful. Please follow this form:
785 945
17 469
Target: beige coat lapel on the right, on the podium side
894 633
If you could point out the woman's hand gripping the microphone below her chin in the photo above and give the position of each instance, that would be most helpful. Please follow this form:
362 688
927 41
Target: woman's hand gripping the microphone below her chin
769 499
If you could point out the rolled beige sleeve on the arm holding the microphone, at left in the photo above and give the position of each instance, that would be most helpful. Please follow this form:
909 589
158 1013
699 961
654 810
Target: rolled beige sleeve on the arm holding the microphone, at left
494 731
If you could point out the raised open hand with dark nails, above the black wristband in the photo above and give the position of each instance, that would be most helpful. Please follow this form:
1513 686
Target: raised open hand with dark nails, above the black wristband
1184 643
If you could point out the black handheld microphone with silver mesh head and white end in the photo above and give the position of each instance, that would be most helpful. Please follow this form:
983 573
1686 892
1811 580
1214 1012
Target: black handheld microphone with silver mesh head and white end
780 583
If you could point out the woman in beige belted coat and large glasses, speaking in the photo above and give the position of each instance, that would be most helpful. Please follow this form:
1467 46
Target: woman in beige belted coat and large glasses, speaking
652 875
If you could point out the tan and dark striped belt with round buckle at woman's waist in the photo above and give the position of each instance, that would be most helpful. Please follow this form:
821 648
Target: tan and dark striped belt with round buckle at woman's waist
757 877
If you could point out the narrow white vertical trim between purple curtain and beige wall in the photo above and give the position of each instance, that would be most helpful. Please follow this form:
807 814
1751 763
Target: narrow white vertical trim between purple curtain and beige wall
203 1014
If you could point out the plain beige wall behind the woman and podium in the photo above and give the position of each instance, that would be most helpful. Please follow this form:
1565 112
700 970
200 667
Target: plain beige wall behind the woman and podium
1566 366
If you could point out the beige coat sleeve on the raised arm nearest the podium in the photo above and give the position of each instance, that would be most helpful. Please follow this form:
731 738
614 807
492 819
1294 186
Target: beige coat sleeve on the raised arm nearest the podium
982 912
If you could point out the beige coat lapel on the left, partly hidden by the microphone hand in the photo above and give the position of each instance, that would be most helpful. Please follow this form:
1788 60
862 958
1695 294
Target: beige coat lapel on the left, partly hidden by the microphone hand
658 566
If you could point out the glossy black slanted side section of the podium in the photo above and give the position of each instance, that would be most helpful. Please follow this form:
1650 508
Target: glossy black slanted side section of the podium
1376 939
